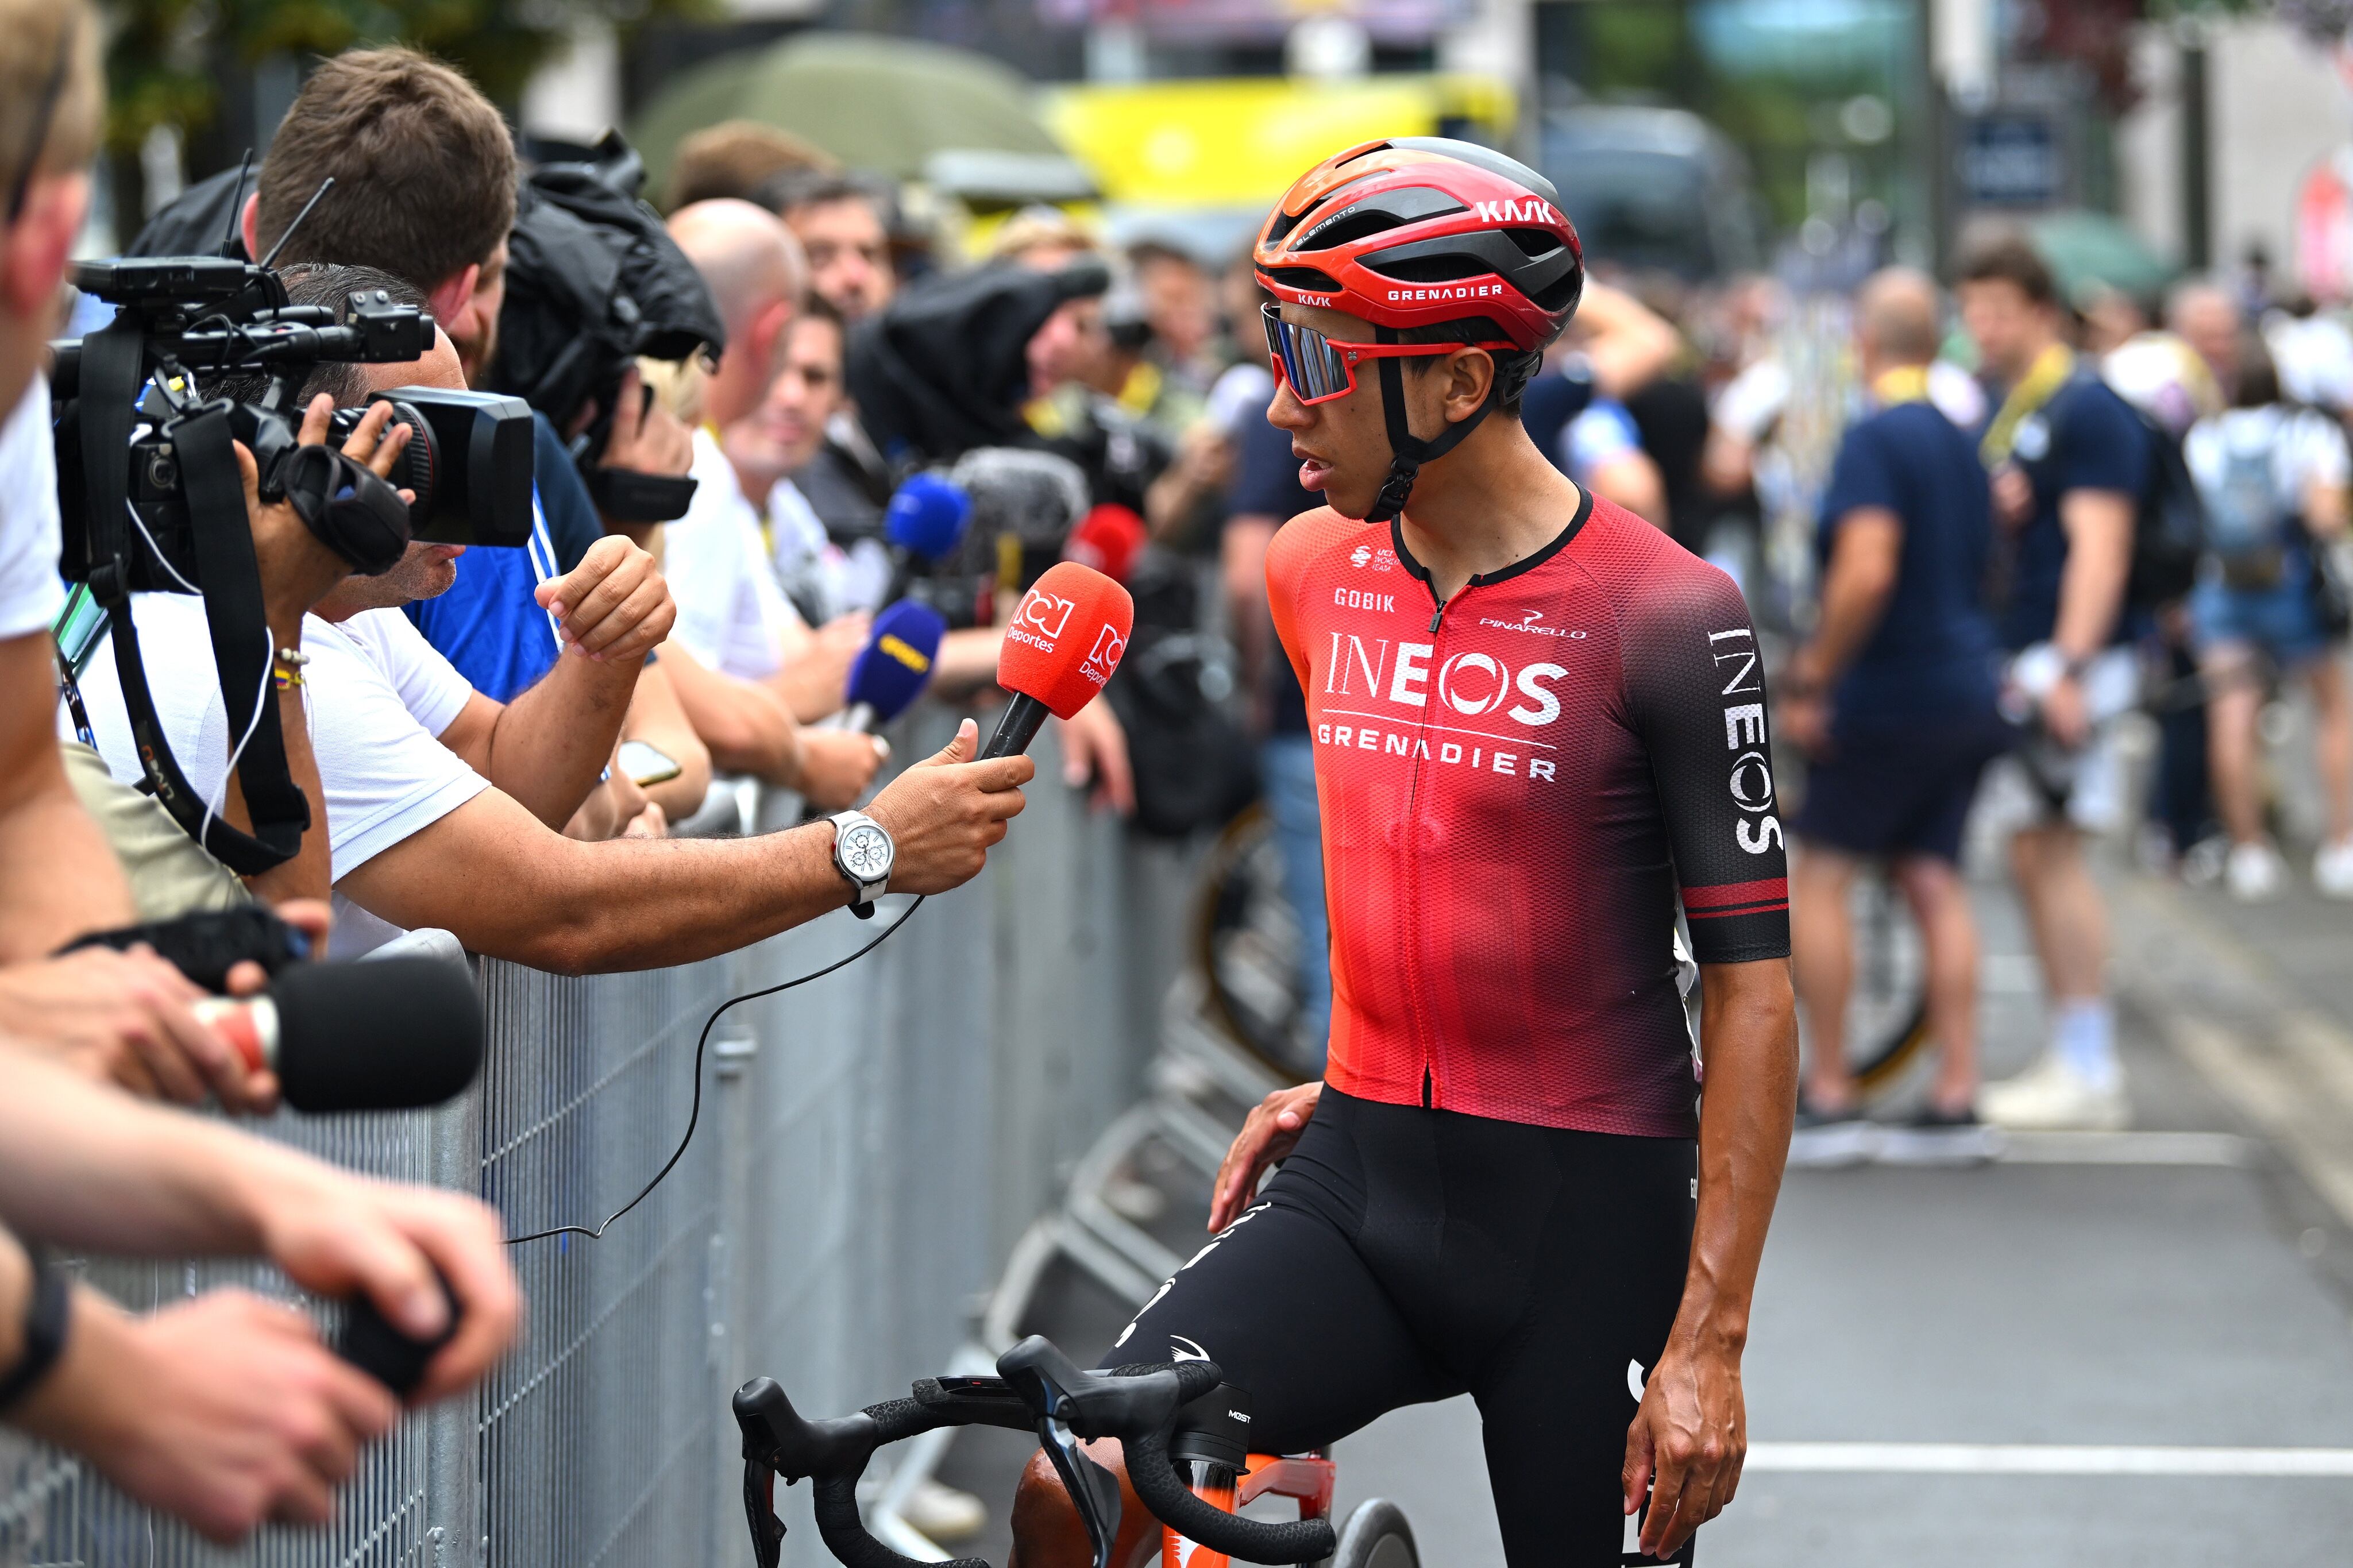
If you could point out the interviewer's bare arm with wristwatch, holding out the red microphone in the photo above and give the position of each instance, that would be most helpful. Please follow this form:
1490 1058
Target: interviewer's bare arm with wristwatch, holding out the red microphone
514 890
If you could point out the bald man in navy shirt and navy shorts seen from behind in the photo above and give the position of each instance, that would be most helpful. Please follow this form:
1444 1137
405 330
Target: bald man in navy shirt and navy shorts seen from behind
1895 704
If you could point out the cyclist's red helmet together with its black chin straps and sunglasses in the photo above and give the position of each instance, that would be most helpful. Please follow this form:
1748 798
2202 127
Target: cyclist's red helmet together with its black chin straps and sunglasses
1418 232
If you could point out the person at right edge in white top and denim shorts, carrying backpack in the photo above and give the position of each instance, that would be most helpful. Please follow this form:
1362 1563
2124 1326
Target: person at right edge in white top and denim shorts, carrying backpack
2274 483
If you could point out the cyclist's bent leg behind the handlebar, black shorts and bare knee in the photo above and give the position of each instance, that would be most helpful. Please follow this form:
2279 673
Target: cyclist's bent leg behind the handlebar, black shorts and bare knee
1288 1311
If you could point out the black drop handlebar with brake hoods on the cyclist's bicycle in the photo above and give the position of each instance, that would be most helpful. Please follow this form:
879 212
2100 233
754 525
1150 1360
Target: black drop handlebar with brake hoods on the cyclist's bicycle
1039 1391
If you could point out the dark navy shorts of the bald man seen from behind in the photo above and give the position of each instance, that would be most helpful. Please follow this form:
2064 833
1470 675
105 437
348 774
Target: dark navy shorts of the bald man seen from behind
1900 791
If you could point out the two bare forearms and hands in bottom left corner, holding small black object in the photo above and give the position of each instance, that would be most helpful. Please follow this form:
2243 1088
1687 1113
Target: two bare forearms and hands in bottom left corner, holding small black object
225 1412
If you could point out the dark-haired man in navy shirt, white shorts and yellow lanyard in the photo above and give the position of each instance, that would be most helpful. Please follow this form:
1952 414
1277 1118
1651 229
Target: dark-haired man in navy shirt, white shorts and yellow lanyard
2069 467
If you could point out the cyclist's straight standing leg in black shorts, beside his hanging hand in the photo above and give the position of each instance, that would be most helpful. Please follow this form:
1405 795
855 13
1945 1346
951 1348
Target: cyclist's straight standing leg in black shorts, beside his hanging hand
1561 1391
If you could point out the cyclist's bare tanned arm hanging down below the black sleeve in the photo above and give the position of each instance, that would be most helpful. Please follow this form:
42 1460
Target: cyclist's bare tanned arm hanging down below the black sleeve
1688 1440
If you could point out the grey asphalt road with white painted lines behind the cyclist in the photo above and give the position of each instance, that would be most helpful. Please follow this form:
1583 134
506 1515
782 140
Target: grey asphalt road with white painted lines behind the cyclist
2102 1351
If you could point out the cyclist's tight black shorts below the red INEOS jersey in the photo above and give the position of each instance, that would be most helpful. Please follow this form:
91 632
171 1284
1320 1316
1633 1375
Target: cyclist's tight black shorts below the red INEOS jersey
1411 1254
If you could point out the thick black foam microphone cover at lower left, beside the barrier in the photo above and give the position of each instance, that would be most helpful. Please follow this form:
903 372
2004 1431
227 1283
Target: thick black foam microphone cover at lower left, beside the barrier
387 1036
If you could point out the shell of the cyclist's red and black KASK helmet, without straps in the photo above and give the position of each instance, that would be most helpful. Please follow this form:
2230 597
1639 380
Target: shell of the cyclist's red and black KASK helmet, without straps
1418 232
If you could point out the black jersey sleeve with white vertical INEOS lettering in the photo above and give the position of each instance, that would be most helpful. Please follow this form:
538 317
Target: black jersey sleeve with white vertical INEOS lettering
1695 692
